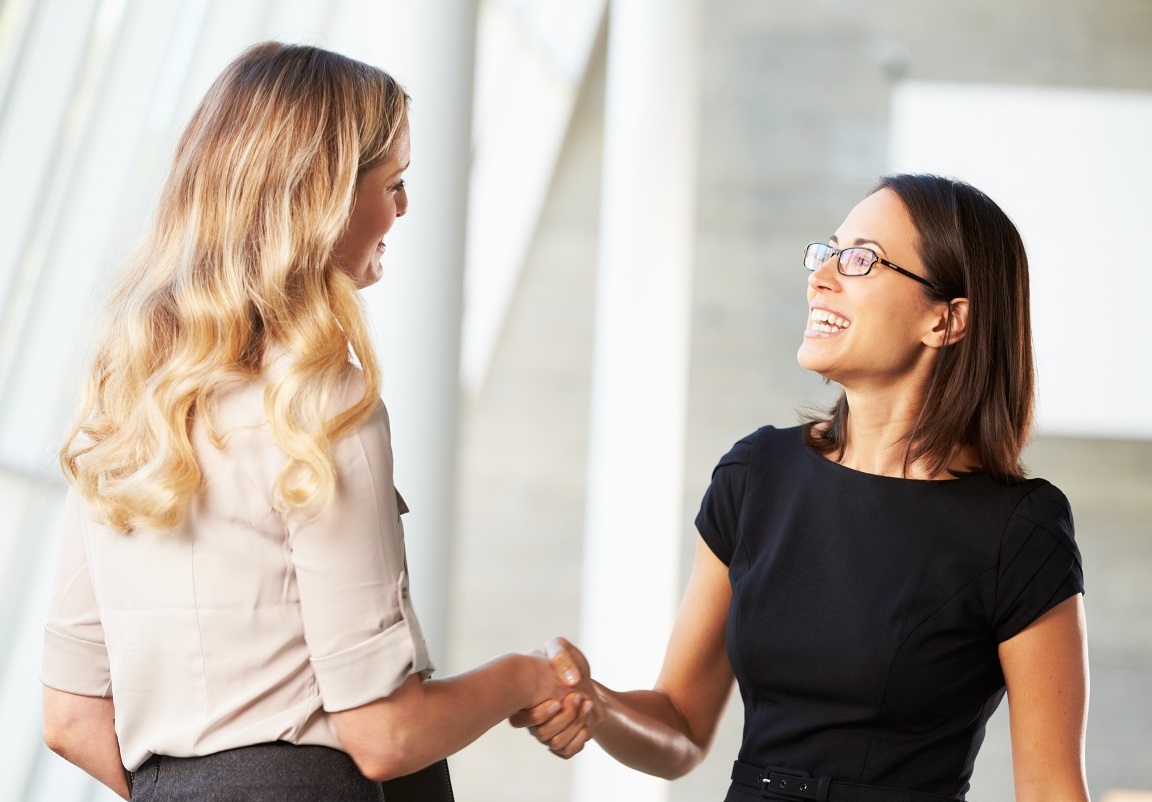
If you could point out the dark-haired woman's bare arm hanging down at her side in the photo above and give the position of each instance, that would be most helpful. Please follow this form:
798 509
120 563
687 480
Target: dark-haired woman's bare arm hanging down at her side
1047 674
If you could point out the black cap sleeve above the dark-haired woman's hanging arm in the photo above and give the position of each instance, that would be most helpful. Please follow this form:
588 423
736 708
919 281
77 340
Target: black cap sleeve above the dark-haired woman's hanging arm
1040 562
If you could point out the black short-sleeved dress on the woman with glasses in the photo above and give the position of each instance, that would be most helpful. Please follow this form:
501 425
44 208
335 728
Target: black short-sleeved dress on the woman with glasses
867 610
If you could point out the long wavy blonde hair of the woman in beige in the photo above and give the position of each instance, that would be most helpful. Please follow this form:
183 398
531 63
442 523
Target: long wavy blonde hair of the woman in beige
239 261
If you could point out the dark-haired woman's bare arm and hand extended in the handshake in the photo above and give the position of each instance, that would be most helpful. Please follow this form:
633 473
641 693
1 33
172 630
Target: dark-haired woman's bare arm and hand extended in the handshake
666 731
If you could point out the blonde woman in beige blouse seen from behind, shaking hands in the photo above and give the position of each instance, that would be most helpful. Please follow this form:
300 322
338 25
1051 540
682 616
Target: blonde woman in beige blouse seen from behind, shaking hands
232 617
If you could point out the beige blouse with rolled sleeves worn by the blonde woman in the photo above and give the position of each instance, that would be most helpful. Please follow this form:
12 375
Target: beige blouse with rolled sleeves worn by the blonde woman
241 627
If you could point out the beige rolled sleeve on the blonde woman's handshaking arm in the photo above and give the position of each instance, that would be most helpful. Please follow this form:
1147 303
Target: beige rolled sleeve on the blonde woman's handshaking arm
353 577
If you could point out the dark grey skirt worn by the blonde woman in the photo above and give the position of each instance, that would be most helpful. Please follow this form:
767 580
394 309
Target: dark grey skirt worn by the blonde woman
264 773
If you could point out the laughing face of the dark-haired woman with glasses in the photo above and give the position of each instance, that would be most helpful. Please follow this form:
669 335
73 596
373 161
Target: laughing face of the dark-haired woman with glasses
877 330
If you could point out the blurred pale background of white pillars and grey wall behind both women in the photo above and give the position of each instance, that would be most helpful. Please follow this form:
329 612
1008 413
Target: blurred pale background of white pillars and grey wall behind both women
598 289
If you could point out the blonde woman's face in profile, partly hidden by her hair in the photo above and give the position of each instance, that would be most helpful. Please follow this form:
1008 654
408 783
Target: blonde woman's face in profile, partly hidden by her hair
381 199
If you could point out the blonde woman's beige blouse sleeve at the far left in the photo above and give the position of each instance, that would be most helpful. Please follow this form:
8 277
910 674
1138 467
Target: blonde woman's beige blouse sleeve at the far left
75 659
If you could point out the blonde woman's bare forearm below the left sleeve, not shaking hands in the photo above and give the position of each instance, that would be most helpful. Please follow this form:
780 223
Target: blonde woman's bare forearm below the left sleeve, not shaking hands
81 730
